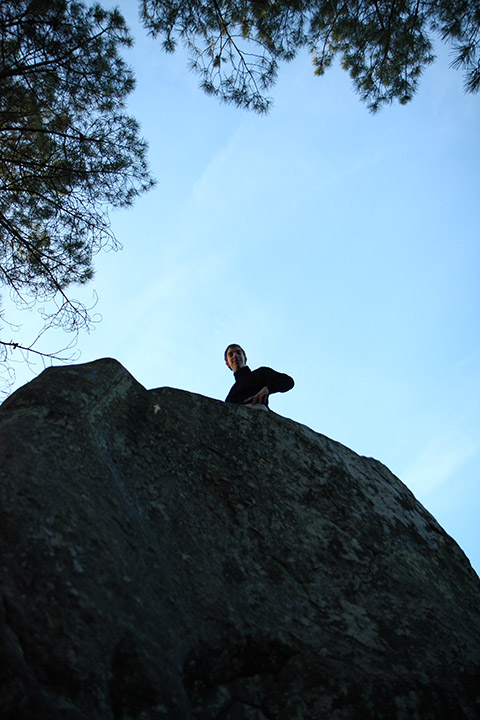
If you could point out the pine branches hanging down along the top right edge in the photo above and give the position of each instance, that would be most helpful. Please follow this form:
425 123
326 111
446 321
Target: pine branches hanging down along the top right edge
236 45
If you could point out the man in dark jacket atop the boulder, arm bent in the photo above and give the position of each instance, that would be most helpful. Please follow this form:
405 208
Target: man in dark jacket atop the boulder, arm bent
253 387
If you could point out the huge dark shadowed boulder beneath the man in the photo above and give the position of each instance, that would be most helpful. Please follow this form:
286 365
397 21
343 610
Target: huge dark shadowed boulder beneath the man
167 556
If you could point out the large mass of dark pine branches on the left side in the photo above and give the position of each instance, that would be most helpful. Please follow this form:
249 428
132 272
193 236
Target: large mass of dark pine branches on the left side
68 151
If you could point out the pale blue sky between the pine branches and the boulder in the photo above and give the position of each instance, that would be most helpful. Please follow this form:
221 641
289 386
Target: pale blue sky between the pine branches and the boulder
336 245
